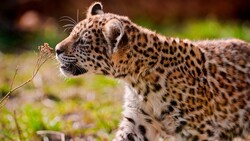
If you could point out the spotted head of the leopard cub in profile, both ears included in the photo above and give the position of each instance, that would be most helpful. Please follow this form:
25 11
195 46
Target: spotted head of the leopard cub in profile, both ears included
91 43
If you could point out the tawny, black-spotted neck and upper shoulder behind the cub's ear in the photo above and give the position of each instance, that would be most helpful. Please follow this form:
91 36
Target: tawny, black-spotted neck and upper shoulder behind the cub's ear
149 57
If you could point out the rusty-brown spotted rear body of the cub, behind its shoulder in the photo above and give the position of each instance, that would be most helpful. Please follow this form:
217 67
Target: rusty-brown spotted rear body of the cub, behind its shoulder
228 74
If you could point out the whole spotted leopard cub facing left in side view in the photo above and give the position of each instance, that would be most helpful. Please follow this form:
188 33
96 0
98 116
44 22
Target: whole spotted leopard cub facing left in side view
174 88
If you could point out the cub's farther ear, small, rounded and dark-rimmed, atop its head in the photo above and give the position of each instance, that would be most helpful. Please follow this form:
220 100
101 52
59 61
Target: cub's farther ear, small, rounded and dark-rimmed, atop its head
94 9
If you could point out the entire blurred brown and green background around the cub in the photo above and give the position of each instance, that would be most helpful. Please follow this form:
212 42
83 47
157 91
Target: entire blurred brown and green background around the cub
89 108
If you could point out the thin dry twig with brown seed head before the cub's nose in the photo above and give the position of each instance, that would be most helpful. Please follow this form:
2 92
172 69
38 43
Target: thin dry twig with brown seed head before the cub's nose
45 53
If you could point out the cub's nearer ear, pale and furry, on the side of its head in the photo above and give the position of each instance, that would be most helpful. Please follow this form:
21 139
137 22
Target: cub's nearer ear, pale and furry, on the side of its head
113 32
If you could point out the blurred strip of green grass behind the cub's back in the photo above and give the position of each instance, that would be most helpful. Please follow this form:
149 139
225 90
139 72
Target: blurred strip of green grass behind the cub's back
201 29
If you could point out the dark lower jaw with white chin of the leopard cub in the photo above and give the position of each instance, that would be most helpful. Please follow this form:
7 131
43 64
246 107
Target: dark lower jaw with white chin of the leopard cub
72 69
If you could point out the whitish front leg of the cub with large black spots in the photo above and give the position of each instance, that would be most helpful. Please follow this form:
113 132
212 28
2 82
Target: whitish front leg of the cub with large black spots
135 128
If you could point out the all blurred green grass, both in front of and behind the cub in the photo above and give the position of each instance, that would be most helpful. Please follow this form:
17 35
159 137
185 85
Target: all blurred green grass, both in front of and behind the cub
85 107
